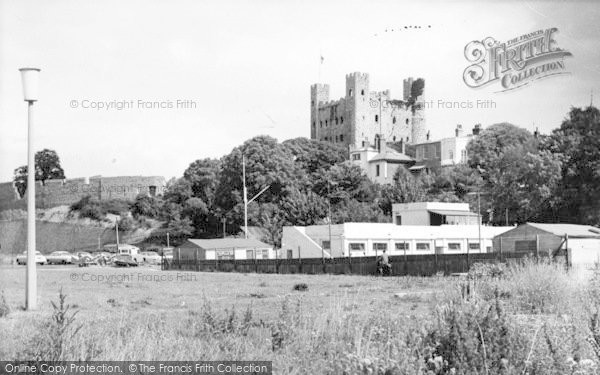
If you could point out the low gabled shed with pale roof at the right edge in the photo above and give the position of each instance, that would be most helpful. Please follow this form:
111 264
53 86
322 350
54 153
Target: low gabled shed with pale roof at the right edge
582 242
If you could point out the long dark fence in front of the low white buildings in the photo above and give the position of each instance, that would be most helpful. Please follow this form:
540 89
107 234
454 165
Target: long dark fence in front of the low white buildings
414 265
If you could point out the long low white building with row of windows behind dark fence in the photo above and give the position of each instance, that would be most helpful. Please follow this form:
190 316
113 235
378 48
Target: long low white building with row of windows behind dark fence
370 239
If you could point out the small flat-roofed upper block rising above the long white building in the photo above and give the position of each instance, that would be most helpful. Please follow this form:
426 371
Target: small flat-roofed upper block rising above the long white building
433 213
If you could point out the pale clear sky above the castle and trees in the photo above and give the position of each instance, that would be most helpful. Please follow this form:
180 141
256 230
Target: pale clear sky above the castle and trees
244 68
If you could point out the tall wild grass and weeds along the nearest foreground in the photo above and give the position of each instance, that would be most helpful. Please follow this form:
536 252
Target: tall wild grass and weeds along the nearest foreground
531 318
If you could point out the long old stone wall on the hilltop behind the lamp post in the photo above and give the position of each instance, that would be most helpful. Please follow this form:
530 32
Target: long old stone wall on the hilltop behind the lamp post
58 192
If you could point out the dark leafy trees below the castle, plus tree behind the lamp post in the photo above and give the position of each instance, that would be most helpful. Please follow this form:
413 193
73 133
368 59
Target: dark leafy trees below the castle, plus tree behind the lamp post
520 177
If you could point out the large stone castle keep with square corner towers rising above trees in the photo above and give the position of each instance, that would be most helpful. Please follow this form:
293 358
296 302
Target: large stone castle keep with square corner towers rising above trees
363 117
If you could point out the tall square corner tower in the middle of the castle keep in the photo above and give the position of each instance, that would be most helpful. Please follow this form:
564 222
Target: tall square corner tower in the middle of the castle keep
357 106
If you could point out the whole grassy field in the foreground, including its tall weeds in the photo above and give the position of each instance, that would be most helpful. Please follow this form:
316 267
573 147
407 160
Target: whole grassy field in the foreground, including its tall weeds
531 319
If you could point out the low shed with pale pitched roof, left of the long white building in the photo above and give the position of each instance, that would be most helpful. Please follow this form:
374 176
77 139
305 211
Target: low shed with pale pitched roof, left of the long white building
223 249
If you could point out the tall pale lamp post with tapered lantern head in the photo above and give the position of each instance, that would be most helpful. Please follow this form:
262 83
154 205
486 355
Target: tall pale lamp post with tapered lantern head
29 78
